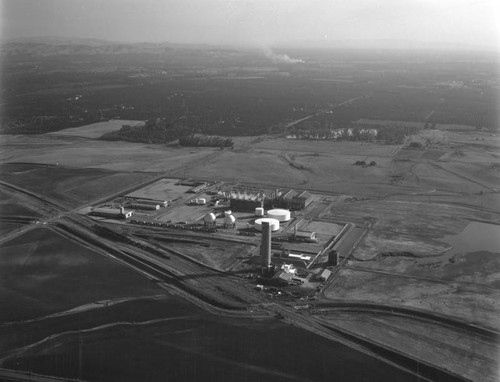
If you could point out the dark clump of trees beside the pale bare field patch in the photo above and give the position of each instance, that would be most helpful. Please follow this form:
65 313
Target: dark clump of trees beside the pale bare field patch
156 130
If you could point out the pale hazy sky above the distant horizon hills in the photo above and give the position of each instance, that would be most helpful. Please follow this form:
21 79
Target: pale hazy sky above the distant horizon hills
470 22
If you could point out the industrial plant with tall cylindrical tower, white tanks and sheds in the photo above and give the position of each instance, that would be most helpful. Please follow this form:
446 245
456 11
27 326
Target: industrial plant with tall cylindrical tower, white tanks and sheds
274 223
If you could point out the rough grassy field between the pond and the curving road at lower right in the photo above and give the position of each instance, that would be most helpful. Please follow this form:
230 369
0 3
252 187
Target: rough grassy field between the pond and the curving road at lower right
476 303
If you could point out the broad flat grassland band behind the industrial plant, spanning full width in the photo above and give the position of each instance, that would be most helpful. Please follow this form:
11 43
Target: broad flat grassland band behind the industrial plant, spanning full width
320 165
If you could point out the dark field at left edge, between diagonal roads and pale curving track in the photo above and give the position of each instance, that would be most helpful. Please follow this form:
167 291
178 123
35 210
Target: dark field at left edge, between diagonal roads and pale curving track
42 273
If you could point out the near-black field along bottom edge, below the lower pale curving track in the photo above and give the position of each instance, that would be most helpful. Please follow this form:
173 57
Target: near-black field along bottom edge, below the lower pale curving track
222 349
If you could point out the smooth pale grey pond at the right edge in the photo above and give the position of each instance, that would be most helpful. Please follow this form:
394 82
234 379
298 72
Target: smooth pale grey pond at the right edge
476 237
